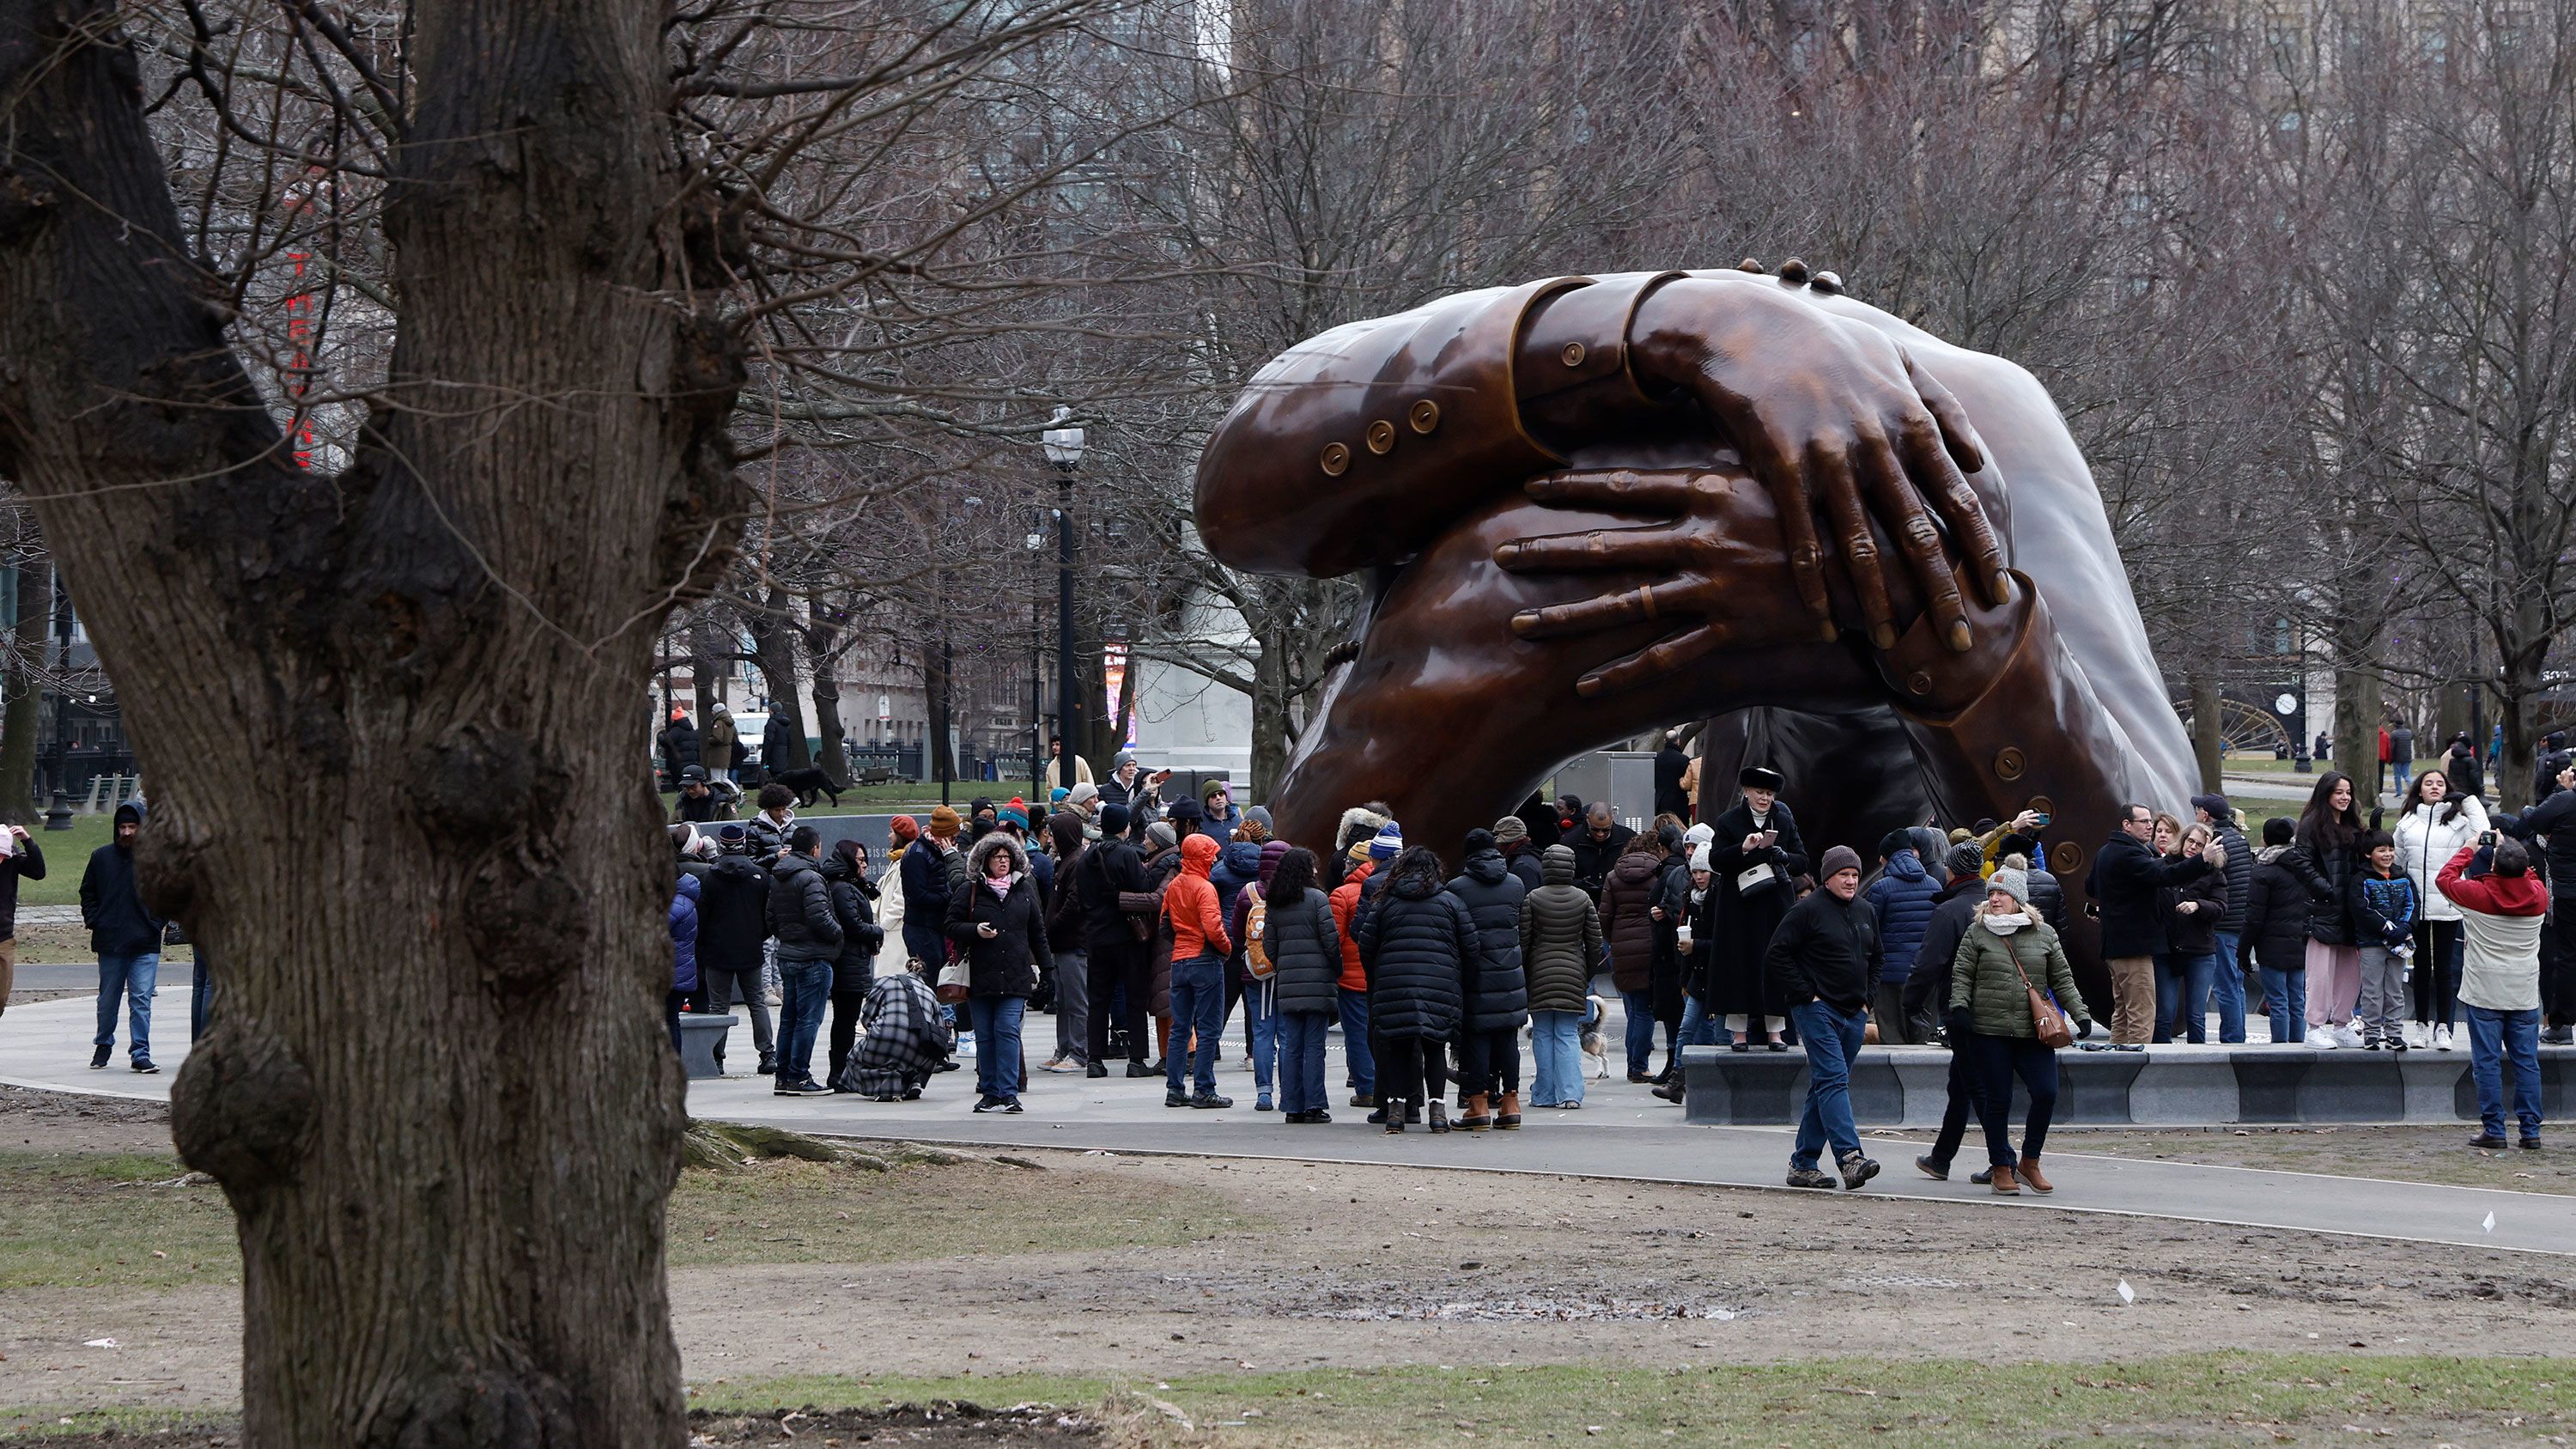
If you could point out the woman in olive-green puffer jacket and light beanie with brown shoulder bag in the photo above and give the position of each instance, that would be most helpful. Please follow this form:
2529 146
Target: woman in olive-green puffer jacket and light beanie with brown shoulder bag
2005 953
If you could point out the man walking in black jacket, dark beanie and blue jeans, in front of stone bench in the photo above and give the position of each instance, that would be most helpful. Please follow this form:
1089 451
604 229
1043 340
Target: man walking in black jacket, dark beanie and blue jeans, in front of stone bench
1825 955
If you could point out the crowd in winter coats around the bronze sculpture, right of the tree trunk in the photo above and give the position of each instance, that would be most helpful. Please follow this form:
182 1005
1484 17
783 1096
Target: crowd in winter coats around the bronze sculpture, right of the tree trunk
1148 924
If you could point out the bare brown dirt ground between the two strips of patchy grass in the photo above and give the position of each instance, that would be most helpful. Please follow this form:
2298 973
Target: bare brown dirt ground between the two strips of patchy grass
1356 1267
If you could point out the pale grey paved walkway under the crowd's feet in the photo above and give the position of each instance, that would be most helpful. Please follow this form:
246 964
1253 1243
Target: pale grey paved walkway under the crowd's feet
1622 1133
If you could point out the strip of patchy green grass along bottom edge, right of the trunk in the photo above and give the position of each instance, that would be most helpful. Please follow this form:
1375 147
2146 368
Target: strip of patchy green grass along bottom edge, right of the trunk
2230 1396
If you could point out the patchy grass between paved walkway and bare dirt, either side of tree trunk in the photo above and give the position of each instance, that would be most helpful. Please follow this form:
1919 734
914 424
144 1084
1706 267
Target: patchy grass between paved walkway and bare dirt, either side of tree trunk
133 1221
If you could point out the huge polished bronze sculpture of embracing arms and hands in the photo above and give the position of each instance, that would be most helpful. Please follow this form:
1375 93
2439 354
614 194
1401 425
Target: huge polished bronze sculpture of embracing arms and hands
1593 507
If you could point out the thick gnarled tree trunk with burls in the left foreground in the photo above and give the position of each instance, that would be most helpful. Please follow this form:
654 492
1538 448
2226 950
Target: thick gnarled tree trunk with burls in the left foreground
452 1229
